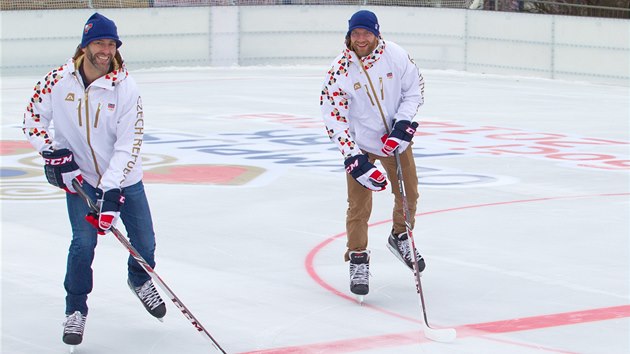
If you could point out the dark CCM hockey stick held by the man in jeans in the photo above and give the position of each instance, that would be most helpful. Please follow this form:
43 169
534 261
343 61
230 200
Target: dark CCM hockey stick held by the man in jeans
154 276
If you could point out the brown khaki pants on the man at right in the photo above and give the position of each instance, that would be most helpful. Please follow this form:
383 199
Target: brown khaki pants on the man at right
360 200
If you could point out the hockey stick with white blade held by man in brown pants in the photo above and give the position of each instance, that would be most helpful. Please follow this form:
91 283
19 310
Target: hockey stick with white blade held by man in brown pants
438 335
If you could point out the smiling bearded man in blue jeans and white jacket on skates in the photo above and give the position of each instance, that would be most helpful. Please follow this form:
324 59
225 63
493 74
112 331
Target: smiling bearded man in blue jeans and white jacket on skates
99 124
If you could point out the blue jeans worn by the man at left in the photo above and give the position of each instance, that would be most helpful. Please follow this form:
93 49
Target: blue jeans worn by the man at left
136 217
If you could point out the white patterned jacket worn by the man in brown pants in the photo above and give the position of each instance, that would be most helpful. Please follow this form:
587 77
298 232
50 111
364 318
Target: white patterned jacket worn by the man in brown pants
352 99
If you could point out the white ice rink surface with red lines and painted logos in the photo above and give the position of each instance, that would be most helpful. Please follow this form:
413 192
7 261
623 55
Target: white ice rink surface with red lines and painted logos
523 221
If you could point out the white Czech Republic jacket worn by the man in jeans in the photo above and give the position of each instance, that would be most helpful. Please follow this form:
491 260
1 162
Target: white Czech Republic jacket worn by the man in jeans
103 124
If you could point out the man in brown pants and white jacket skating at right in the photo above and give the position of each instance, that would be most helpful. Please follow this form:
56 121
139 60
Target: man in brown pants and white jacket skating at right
369 100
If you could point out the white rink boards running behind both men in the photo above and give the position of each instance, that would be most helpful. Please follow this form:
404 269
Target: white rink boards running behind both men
511 43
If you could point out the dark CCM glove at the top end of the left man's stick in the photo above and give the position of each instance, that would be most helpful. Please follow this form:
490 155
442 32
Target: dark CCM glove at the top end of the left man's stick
60 169
